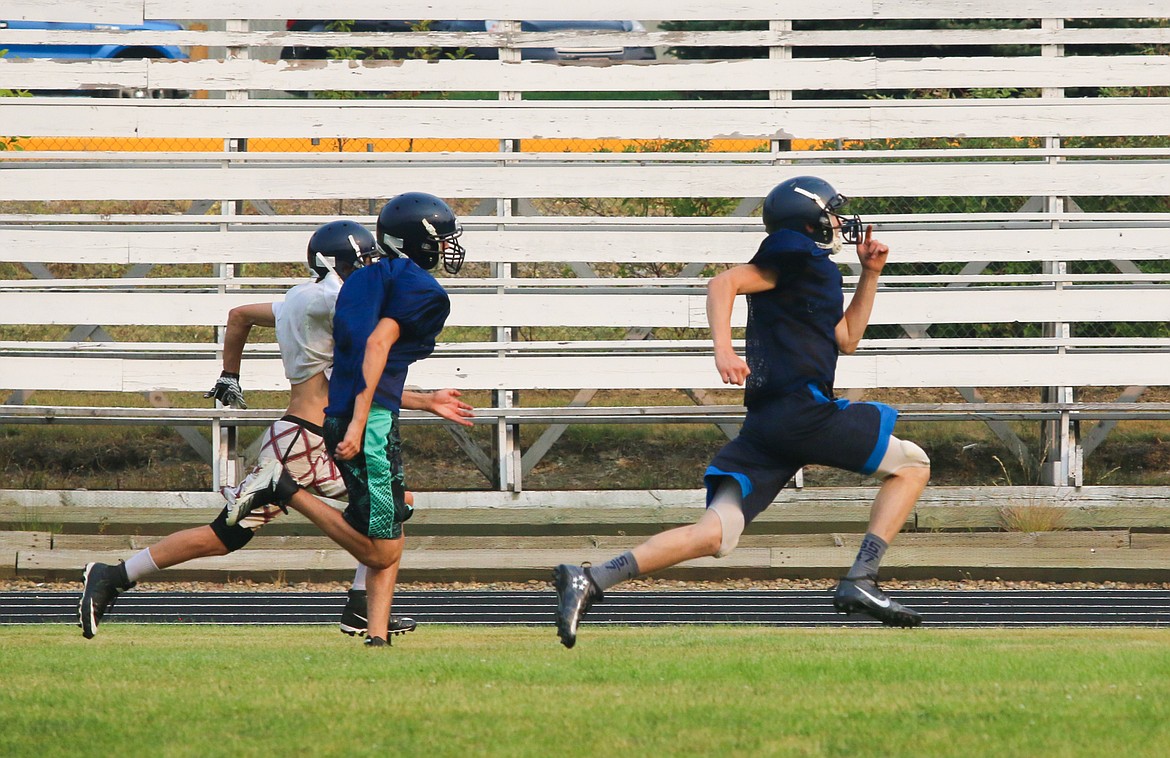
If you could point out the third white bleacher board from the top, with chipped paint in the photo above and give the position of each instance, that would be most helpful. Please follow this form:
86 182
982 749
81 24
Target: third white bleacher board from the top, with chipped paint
531 77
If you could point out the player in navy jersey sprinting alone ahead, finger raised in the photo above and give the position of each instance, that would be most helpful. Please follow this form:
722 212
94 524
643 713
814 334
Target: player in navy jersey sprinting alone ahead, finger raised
797 325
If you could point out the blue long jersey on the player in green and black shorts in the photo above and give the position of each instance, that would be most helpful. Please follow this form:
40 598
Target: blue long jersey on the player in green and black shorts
393 288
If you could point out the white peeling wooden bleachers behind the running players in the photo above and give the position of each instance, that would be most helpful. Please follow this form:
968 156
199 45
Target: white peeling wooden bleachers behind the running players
247 101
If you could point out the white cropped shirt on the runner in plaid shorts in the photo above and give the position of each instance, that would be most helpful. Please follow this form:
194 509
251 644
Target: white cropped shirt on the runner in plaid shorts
305 328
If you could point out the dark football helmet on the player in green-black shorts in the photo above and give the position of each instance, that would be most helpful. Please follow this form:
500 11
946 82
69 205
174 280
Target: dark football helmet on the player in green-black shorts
424 229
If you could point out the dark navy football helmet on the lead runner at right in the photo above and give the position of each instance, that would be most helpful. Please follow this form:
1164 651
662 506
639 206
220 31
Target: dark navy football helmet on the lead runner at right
809 202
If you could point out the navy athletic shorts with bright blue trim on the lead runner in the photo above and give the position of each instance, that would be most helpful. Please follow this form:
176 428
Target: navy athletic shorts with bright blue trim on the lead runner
784 435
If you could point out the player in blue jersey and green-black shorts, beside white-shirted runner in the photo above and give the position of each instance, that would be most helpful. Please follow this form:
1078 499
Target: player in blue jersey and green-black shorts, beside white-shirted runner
388 318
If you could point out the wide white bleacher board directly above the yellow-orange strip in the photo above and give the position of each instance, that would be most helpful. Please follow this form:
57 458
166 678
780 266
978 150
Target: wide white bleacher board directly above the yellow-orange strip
586 120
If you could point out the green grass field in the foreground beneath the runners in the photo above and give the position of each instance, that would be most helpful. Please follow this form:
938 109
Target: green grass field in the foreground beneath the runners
656 692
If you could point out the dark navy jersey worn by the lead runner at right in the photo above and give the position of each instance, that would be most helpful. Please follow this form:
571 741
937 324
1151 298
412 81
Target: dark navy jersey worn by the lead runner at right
793 328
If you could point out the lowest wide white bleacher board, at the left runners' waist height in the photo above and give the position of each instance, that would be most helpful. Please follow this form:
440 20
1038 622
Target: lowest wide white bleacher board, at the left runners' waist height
614 373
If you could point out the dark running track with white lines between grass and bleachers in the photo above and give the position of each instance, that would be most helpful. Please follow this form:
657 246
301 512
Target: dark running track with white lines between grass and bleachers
769 608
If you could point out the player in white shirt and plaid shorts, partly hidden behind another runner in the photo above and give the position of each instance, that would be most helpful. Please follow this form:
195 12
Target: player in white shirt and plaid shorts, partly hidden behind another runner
304 325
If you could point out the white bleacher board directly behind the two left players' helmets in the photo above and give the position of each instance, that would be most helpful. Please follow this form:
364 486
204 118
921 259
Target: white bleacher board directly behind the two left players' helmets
608 245
